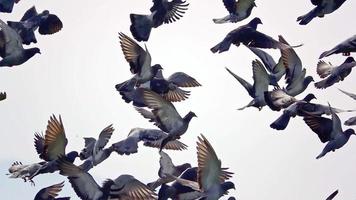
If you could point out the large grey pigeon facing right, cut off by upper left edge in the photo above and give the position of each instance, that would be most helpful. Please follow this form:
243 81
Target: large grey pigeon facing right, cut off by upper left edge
11 49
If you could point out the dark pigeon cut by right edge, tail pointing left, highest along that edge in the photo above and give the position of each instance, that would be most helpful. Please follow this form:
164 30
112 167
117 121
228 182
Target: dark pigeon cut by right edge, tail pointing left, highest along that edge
345 47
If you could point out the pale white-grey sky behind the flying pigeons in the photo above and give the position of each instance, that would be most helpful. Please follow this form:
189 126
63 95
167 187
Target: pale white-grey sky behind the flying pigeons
76 73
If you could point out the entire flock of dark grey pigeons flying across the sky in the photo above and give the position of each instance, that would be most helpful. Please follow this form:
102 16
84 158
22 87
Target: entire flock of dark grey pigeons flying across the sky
153 96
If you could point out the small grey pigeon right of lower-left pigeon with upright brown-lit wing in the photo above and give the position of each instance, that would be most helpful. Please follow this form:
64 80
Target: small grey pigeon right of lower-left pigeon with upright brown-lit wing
95 150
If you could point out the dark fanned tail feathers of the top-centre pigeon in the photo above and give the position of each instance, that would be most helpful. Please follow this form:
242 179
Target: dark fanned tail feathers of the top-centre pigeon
141 26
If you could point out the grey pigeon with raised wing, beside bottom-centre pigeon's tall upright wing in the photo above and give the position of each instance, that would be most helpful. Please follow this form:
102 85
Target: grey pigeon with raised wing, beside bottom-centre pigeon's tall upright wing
167 167
